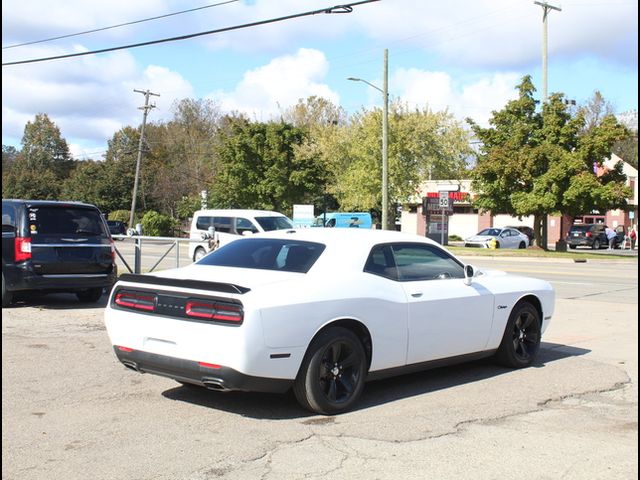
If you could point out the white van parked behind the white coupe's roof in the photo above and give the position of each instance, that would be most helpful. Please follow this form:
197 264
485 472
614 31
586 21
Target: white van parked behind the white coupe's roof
229 225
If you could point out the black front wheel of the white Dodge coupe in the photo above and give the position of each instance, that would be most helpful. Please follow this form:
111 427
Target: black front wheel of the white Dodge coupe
521 339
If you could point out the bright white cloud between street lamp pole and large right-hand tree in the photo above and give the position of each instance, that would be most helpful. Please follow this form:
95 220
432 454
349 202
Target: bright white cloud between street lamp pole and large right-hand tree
439 91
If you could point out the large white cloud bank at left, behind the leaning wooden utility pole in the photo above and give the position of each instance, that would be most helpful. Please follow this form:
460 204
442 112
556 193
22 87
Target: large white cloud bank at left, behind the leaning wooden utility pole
89 98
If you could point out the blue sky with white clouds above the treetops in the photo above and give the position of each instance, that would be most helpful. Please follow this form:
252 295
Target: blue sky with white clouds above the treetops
463 55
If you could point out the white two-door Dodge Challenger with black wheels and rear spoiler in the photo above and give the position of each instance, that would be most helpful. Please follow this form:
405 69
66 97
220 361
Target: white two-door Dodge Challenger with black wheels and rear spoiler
322 311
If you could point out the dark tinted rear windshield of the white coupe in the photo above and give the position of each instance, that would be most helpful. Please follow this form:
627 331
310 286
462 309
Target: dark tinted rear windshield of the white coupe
266 254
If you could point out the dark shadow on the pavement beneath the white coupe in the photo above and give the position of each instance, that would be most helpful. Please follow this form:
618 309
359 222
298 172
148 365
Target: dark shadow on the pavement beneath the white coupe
285 406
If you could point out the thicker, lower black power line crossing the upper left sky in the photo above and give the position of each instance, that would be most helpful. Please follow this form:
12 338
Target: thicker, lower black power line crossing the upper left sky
347 8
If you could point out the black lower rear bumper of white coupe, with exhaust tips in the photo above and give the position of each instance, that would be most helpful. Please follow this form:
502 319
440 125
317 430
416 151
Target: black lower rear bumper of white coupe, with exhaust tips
222 378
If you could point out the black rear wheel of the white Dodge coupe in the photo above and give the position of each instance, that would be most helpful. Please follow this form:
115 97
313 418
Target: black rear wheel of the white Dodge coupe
332 374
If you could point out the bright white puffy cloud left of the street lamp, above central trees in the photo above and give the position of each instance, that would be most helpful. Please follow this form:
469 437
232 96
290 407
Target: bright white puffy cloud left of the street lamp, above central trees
267 90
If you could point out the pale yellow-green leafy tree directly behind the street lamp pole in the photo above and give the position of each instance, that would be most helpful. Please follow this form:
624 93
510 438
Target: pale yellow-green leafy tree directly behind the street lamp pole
421 145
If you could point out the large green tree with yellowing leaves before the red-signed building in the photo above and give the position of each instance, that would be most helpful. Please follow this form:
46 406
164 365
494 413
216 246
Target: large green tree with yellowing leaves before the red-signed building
540 163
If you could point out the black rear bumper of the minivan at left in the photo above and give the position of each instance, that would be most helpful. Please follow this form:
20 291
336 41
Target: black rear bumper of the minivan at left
21 277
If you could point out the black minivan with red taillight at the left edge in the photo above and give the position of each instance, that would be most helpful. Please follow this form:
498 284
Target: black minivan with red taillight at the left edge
52 246
